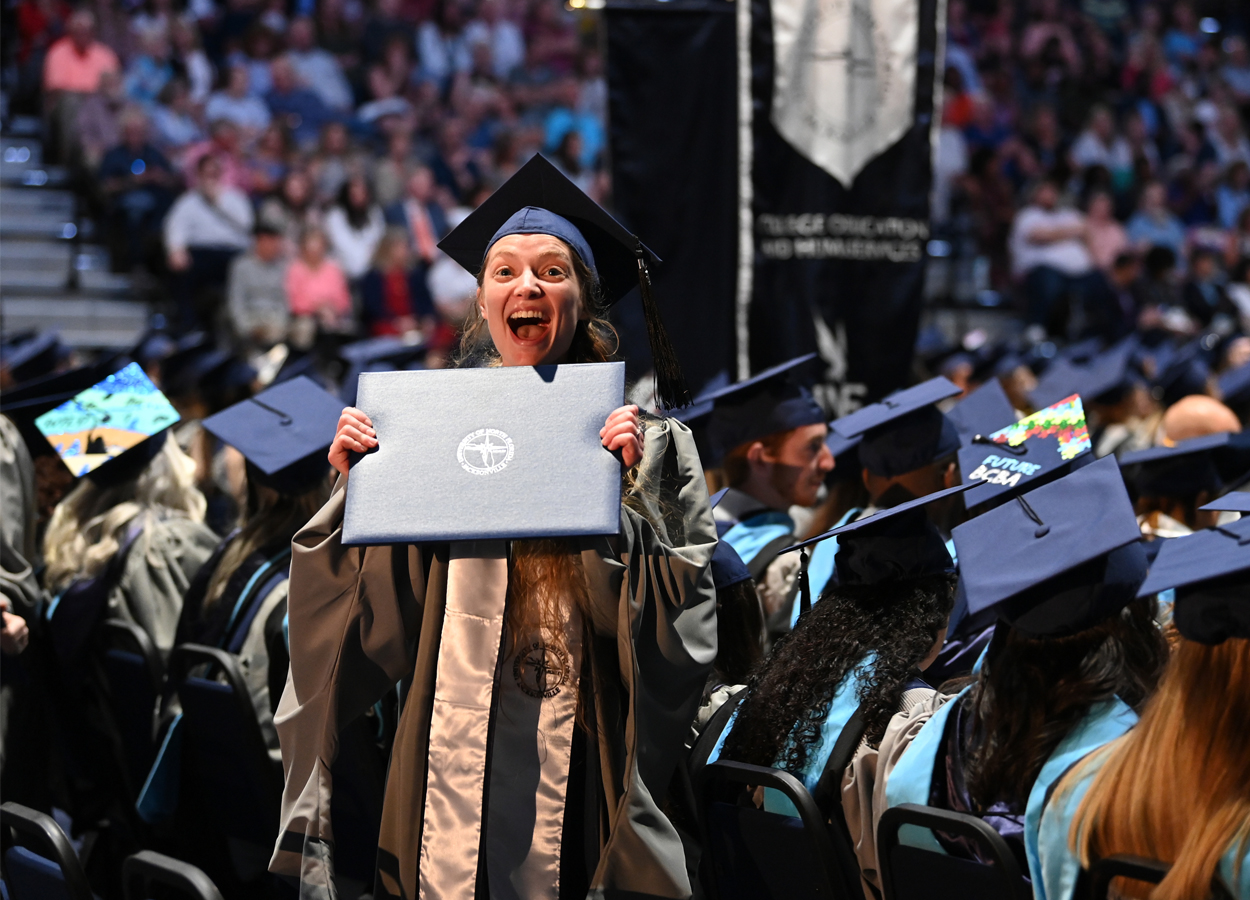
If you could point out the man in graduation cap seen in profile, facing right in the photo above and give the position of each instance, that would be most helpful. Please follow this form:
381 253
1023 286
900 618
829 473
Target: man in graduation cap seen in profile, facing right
768 434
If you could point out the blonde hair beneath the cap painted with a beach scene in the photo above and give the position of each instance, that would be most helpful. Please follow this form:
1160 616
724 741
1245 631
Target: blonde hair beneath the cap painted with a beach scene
89 524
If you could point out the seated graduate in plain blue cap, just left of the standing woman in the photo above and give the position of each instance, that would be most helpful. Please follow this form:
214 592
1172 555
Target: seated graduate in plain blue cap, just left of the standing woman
238 601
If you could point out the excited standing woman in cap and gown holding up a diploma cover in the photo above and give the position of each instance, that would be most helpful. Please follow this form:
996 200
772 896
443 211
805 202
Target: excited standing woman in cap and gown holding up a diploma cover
549 691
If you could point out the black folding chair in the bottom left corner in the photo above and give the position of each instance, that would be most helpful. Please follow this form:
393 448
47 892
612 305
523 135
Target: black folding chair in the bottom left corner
39 862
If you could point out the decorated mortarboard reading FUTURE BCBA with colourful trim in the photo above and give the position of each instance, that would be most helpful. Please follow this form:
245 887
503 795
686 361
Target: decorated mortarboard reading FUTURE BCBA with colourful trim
1026 454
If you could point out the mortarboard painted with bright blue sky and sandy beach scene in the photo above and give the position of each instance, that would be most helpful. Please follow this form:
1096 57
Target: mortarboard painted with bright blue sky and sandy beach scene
111 431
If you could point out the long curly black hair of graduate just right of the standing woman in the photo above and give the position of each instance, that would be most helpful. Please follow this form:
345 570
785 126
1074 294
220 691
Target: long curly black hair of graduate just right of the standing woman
789 696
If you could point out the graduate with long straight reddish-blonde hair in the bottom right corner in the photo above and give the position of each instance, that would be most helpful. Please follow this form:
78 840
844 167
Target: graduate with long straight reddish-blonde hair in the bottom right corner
1194 729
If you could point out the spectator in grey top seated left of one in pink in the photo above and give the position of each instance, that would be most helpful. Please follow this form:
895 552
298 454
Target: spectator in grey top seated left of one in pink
257 307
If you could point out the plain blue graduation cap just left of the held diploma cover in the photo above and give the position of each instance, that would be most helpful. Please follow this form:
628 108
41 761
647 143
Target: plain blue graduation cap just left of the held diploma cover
284 433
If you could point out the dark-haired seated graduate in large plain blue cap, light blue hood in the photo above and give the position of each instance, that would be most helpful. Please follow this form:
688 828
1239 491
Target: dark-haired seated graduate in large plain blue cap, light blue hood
1073 657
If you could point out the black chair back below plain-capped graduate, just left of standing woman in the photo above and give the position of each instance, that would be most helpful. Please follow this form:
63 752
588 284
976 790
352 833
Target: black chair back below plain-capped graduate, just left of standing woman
226 759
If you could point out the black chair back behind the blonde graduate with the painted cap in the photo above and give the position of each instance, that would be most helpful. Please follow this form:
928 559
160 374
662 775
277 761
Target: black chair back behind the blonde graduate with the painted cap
134 674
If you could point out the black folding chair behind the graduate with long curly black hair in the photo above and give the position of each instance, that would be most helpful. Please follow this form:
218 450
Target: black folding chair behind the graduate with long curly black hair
752 854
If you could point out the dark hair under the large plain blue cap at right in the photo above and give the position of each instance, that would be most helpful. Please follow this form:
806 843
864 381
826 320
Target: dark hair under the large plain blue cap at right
1034 692
